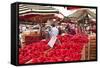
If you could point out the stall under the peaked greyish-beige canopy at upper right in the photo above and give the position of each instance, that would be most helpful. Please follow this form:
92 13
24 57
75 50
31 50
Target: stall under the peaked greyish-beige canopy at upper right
83 18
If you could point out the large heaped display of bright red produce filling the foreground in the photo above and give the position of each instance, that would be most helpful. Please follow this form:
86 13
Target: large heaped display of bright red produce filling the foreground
39 52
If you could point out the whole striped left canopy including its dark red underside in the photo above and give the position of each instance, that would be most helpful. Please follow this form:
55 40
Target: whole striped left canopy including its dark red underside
36 13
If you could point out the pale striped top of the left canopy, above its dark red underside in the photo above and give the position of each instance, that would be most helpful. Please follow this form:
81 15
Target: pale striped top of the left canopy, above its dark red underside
25 9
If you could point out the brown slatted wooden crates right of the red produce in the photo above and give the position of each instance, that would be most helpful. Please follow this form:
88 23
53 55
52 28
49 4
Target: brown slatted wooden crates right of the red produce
90 49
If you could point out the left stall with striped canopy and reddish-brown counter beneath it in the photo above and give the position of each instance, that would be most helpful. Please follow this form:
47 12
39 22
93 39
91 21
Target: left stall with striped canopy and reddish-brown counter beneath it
30 16
